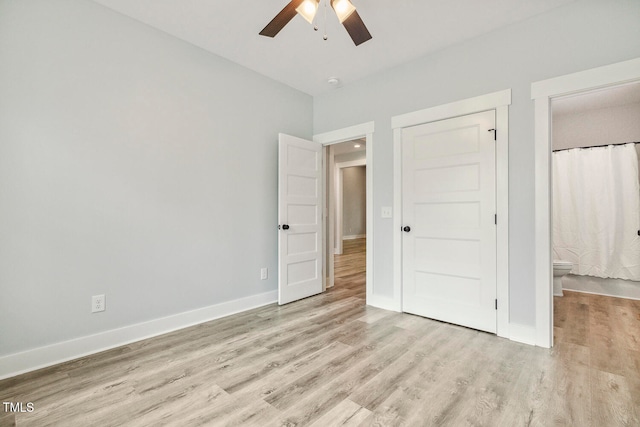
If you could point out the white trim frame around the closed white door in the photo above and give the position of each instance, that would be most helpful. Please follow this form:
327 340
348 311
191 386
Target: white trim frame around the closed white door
498 101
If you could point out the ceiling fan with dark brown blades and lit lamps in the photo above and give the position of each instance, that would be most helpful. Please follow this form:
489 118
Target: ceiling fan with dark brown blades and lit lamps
345 11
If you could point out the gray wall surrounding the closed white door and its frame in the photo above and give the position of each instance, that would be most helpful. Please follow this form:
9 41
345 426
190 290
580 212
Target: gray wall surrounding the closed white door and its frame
579 36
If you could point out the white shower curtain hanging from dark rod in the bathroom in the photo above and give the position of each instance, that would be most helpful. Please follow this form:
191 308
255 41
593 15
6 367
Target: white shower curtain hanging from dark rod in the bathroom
596 210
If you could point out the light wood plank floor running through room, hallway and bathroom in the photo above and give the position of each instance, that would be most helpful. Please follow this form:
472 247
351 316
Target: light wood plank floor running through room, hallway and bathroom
330 360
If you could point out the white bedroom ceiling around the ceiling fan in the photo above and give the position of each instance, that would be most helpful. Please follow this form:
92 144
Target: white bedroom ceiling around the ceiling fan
299 57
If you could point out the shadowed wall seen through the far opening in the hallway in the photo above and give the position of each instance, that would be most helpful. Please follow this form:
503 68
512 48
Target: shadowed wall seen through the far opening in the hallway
354 201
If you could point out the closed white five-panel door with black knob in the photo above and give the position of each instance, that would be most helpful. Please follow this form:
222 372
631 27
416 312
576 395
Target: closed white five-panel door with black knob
448 209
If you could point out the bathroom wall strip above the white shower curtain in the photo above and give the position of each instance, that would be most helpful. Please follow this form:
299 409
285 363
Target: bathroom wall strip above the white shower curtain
597 127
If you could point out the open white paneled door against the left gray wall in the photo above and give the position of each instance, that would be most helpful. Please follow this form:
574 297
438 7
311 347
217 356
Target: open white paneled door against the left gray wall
299 218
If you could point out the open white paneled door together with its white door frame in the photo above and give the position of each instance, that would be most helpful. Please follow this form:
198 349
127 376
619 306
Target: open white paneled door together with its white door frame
304 180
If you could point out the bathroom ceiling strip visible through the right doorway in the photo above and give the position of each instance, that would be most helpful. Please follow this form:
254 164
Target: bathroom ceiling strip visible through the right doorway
594 100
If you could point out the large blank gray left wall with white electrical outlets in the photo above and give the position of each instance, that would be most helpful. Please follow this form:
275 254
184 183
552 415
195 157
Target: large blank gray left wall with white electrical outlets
131 164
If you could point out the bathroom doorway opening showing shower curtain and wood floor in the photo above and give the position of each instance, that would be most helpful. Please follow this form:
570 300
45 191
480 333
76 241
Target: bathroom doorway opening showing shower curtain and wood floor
595 218
